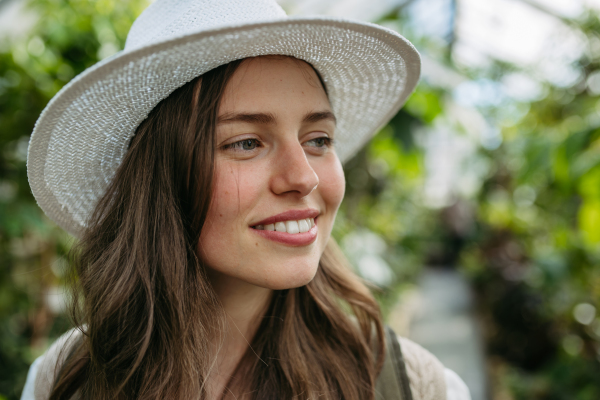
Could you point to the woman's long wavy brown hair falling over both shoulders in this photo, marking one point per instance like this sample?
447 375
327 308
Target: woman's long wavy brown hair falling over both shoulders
147 309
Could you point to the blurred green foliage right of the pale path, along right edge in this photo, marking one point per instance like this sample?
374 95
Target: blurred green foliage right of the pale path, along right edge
535 258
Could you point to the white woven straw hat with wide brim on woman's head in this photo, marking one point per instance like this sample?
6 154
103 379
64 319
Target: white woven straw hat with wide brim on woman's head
83 133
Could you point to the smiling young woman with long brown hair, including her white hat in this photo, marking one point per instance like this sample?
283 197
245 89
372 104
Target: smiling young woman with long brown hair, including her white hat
201 170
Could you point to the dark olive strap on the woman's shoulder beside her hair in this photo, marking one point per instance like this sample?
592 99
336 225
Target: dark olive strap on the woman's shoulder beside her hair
392 383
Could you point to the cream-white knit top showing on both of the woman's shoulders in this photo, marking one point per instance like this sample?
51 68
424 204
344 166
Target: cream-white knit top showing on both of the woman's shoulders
429 380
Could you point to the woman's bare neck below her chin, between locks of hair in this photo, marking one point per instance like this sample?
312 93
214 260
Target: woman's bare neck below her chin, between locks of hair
244 306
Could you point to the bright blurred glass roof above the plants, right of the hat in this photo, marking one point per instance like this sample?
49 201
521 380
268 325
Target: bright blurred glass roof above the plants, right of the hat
534 35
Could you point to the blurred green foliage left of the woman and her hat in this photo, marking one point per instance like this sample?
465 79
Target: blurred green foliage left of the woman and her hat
69 36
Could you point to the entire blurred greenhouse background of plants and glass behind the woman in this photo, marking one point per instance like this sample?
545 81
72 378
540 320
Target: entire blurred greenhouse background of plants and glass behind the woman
476 211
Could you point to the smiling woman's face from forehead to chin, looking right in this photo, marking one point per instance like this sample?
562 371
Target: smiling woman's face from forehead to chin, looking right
278 181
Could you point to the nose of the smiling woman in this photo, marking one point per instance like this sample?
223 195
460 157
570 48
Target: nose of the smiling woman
292 172
